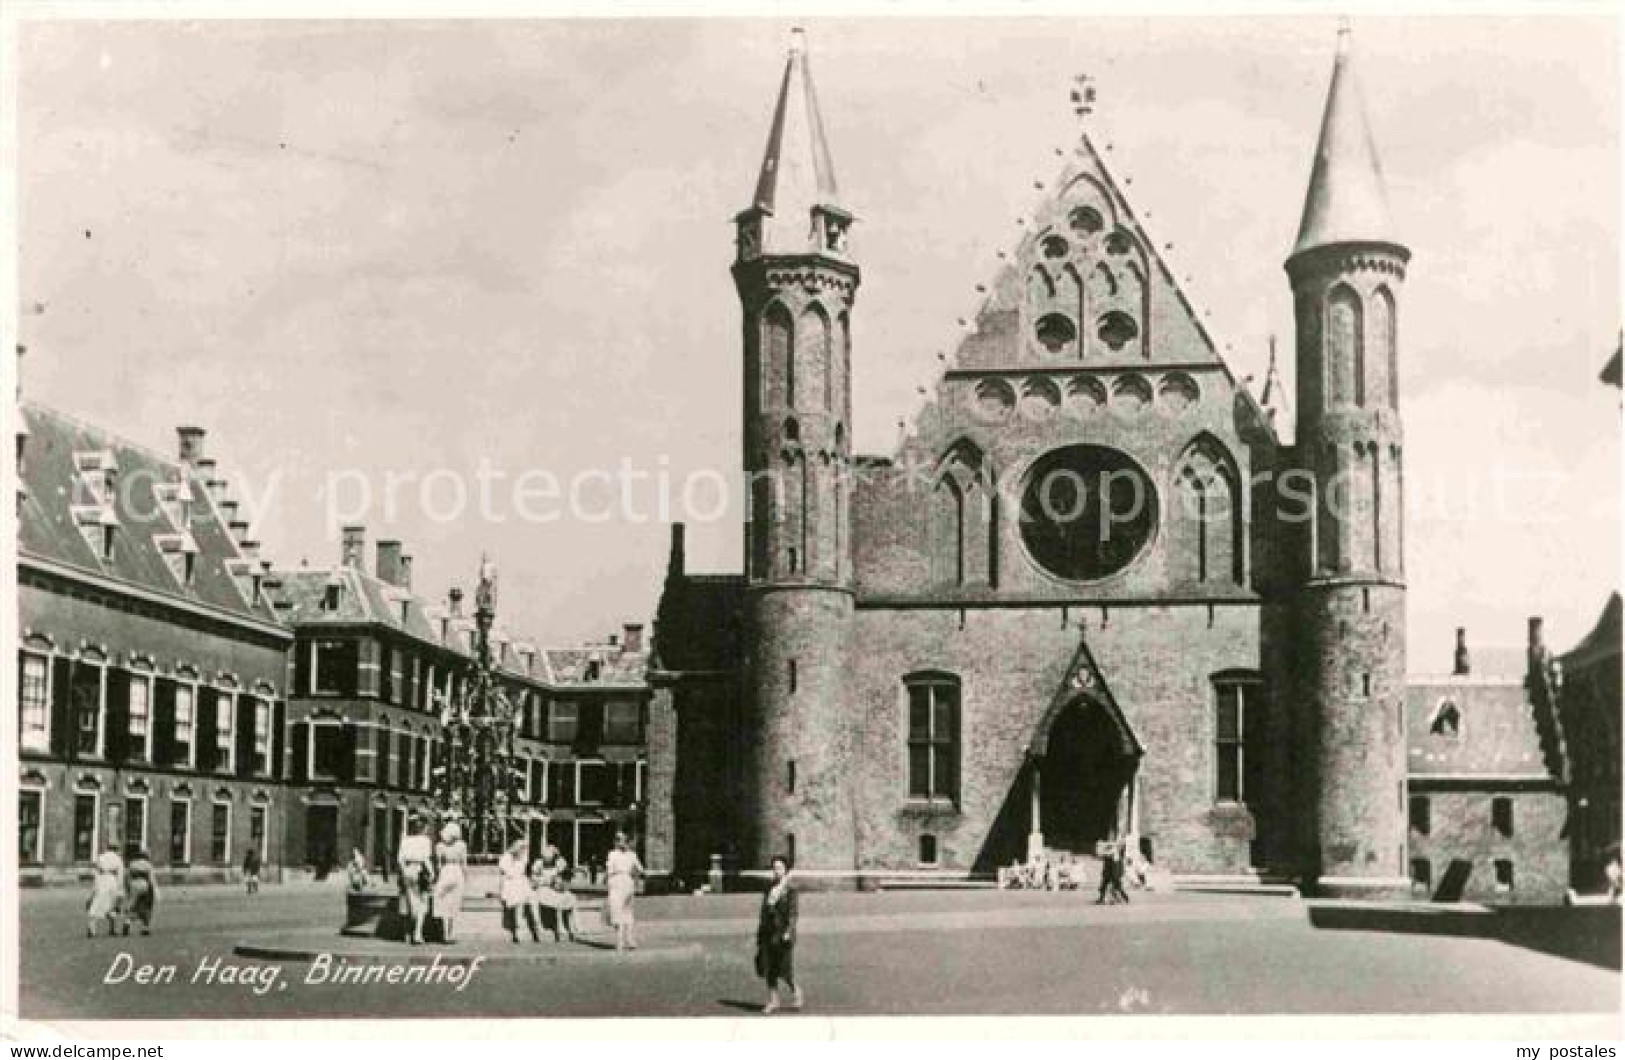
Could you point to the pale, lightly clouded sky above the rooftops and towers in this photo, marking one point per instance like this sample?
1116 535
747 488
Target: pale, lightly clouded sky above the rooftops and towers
401 250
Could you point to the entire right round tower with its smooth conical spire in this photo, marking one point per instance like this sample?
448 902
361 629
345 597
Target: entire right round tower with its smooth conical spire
1346 272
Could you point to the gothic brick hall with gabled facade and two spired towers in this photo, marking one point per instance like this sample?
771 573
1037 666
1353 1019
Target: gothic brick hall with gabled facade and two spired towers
1091 594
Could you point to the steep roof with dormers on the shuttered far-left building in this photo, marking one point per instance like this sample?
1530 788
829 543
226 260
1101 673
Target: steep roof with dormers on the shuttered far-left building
66 476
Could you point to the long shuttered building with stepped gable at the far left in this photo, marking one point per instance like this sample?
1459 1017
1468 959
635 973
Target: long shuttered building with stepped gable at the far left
152 667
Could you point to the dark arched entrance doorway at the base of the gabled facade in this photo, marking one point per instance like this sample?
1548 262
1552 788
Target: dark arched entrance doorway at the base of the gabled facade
1085 762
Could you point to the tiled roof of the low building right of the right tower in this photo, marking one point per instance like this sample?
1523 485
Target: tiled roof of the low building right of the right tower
1496 734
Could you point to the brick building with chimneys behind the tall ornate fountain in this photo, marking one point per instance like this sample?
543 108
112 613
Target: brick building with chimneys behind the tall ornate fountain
373 666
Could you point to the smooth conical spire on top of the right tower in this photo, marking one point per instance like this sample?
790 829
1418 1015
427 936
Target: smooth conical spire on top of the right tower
1348 201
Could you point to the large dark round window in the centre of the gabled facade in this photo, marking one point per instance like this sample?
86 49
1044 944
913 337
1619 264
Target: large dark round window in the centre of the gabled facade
1086 513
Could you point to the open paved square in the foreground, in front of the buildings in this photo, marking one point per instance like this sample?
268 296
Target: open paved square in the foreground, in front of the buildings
899 954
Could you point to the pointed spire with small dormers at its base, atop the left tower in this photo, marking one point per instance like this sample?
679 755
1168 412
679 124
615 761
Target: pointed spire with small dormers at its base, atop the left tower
799 175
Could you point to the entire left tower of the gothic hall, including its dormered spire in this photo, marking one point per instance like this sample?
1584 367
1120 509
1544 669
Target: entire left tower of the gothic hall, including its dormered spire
797 280
